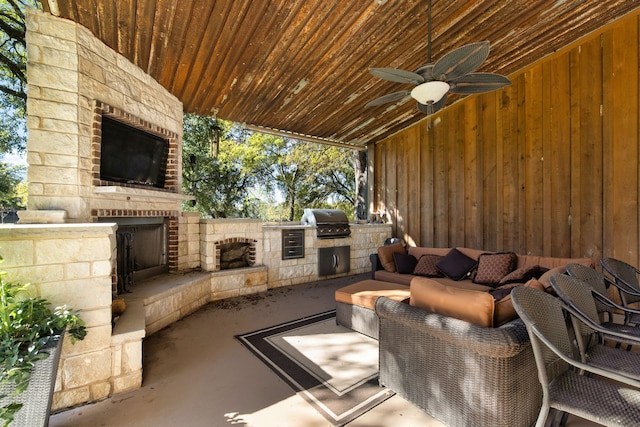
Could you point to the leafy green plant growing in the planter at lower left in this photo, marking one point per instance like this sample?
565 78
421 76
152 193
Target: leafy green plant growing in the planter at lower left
27 326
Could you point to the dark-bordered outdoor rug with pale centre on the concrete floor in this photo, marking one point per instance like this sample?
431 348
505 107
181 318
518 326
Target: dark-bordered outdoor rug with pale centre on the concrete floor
332 367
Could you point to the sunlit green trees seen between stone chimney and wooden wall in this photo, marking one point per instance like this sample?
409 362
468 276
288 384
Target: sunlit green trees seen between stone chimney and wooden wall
232 173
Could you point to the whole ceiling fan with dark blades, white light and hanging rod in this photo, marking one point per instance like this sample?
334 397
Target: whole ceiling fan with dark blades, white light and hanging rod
453 73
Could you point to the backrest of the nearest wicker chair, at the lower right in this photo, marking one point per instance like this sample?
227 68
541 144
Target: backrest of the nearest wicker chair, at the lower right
543 317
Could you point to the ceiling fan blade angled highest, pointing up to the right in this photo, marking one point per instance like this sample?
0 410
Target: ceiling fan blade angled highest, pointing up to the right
461 61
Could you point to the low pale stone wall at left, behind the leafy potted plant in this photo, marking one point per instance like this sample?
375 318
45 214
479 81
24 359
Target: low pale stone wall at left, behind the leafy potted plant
70 264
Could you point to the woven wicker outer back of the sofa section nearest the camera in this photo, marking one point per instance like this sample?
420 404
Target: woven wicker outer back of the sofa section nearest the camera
459 373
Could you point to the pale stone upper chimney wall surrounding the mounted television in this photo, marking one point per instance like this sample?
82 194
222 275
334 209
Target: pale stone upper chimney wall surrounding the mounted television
73 76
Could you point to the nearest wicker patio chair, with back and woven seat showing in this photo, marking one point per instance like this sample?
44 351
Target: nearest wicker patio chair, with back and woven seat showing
596 399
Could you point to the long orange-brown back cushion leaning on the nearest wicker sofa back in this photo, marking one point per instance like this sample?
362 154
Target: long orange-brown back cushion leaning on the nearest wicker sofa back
472 306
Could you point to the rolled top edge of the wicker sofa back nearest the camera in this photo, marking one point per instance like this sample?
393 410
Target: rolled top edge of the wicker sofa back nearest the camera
501 342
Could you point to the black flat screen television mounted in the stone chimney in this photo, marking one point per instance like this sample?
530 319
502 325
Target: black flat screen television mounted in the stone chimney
131 155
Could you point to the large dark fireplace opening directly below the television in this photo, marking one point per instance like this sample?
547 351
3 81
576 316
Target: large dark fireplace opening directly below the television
142 250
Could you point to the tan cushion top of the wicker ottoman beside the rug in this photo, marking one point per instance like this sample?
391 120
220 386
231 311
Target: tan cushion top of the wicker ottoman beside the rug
366 292
